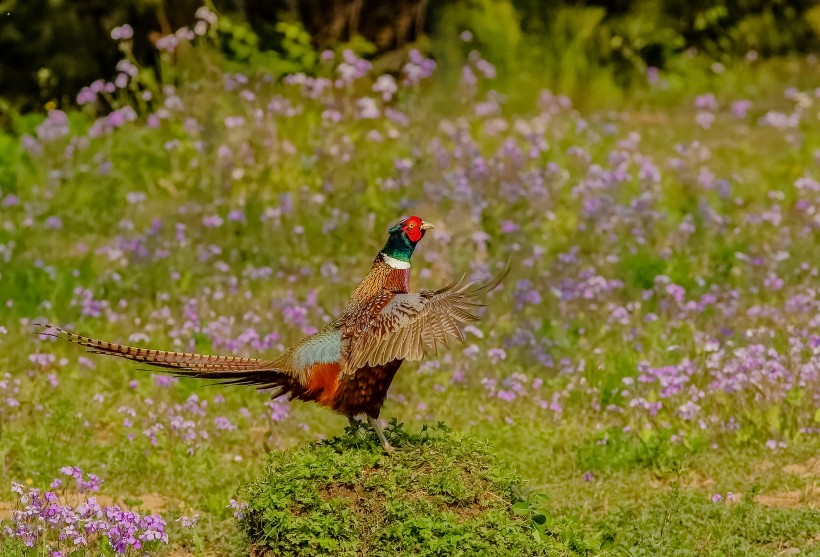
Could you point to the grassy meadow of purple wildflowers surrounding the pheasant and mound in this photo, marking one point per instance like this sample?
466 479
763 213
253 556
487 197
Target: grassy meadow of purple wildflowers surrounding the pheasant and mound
650 368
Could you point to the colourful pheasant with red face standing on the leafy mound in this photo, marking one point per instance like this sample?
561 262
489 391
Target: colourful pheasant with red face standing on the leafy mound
348 365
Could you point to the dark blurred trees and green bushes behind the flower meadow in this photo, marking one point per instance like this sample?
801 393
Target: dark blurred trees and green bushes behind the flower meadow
49 49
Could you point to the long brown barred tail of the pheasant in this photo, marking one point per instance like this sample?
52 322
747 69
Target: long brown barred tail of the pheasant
230 369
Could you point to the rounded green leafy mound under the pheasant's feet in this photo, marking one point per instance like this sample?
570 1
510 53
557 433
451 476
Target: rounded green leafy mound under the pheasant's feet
440 493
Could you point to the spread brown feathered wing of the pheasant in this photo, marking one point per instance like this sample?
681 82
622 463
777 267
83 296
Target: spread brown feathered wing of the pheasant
410 326
